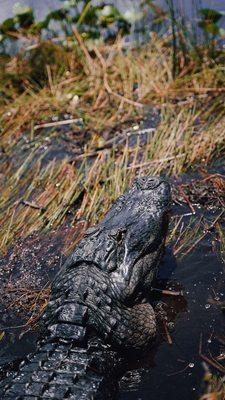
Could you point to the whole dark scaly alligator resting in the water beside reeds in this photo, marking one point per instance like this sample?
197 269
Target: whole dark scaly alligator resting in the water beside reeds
98 308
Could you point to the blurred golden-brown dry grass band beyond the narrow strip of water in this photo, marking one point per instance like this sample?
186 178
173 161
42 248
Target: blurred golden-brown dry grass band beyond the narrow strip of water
113 84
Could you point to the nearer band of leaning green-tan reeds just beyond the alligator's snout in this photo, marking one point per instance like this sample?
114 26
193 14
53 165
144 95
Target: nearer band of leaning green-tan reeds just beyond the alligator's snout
53 190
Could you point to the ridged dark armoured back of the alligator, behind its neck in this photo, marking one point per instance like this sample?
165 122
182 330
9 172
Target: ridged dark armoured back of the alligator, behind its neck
70 363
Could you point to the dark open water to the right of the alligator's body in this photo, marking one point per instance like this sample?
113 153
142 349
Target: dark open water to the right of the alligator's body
176 371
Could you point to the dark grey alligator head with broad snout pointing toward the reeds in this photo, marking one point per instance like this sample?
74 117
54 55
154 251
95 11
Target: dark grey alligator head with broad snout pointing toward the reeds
128 242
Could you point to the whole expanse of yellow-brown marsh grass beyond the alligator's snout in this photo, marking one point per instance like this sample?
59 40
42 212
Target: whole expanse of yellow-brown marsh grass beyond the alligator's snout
104 86
